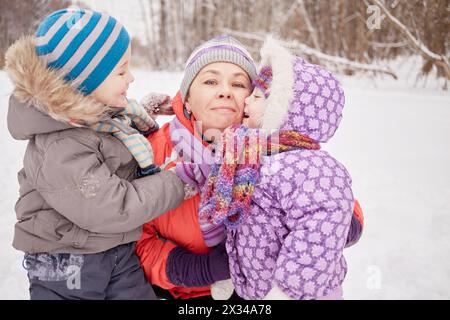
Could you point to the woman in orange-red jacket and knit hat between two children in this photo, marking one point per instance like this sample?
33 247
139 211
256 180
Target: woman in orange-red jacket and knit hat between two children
172 249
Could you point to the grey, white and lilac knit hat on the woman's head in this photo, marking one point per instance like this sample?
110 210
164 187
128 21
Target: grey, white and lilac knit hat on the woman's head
223 48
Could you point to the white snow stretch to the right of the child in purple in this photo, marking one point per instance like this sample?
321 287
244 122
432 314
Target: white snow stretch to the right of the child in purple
395 145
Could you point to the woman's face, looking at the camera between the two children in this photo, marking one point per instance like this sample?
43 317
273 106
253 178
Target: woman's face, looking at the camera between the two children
217 94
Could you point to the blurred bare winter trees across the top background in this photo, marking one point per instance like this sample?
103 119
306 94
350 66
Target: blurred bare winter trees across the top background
338 28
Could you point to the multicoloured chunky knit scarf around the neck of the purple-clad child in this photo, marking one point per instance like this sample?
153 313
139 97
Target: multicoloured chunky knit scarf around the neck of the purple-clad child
228 192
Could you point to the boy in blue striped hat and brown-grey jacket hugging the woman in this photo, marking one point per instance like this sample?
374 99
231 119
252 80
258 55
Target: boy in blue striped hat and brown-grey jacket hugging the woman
88 182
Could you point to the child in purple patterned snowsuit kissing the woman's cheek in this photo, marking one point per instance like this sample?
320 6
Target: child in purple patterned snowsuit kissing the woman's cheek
290 244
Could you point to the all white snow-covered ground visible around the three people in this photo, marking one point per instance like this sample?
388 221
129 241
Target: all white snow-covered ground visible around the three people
394 140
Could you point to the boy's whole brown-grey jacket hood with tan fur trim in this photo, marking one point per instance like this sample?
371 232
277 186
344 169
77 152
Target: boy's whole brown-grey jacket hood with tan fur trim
38 88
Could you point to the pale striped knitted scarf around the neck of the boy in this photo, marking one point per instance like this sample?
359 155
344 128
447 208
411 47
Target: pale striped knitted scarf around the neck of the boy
120 126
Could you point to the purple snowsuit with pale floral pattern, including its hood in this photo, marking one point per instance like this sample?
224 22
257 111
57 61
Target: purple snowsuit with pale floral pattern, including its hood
302 207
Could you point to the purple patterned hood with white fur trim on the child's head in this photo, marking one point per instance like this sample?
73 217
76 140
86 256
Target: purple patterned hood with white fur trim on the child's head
303 97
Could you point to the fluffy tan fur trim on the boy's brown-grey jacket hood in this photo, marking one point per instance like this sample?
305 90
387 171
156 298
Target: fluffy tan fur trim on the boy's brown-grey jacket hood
46 89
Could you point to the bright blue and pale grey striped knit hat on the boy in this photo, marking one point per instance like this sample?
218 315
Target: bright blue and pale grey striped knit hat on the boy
85 44
